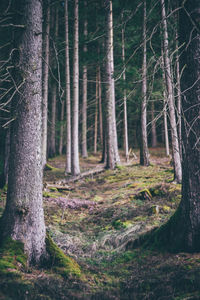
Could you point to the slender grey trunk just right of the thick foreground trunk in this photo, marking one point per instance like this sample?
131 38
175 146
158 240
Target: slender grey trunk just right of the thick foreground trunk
46 9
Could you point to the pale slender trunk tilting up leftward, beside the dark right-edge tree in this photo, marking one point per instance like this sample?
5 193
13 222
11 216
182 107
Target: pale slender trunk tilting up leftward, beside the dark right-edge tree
170 94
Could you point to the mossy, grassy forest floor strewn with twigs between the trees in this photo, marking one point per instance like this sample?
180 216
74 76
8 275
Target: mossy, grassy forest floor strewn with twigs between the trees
95 220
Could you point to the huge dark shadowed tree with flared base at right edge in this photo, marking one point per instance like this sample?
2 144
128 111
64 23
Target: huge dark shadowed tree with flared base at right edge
181 232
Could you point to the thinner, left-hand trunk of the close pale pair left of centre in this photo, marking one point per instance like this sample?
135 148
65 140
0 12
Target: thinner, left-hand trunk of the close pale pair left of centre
67 94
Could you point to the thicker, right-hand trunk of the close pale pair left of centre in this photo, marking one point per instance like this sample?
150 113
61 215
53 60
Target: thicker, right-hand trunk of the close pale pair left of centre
75 115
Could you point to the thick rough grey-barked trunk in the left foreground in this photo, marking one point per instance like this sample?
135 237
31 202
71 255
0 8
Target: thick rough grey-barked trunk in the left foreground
23 218
